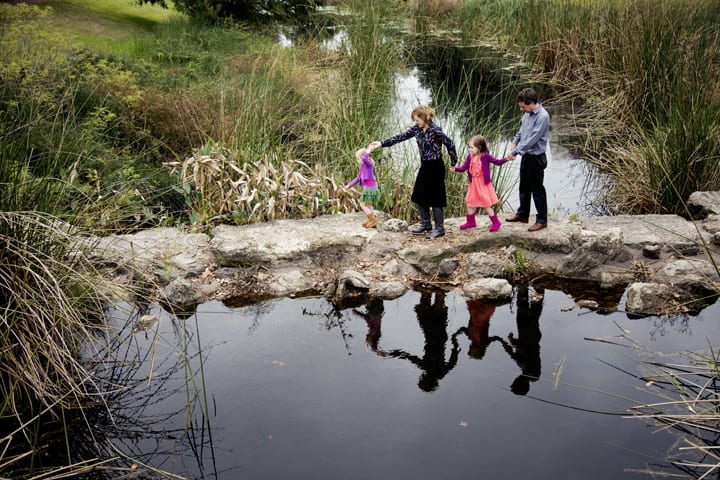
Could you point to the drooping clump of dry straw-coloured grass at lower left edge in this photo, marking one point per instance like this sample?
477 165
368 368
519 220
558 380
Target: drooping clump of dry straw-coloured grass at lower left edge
51 302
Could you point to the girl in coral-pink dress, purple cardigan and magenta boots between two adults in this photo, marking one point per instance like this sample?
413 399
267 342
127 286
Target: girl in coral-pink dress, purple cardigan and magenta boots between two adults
481 193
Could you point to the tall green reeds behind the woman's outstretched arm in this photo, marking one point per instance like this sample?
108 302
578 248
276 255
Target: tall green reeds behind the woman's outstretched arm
368 59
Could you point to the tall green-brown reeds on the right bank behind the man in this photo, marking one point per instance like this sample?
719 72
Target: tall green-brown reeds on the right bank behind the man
645 75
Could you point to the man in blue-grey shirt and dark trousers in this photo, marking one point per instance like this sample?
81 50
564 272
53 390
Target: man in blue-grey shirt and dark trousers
531 143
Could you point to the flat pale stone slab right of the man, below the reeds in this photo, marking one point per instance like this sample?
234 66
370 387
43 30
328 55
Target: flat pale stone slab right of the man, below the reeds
671 231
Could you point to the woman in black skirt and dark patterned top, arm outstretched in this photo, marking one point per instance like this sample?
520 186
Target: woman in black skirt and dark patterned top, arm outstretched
429 189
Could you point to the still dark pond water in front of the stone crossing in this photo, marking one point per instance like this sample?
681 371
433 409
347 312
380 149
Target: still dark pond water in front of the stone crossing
425 386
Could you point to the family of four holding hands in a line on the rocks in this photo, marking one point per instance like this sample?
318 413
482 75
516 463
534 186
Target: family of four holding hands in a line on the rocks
429 194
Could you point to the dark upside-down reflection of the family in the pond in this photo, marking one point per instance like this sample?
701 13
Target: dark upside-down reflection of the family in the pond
432 316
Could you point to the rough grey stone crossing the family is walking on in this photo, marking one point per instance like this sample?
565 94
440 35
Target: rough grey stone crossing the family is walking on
664 263
